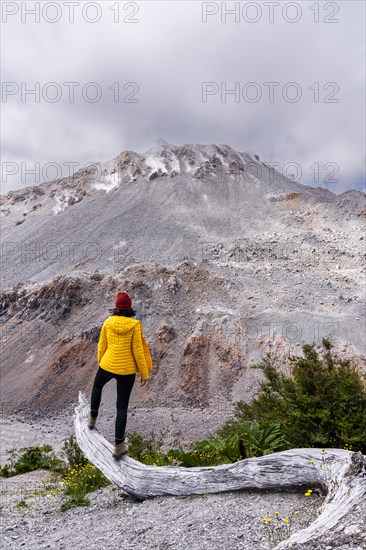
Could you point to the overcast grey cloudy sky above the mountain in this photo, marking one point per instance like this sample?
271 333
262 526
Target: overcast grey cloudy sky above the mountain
111 76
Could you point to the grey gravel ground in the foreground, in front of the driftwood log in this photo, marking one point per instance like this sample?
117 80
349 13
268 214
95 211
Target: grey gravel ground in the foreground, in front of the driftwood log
115 520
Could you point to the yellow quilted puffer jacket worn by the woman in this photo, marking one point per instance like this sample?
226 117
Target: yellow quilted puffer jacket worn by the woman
122 348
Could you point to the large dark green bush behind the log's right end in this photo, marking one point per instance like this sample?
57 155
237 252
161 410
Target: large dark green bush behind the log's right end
321 404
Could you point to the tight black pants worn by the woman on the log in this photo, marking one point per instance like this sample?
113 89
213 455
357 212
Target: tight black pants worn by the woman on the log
124 387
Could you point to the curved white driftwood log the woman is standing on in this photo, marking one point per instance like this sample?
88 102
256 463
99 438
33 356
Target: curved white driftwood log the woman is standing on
345 482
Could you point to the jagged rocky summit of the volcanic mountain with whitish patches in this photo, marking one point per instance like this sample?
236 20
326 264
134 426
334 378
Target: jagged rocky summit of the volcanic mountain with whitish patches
208 163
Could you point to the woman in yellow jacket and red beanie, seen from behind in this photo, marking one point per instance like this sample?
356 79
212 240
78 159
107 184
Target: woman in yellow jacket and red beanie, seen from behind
122 352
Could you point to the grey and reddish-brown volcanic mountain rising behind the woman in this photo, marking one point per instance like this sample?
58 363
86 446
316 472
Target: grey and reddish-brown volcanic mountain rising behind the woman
225 258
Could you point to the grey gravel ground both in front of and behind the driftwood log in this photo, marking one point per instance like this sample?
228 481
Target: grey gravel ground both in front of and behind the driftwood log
116 520
